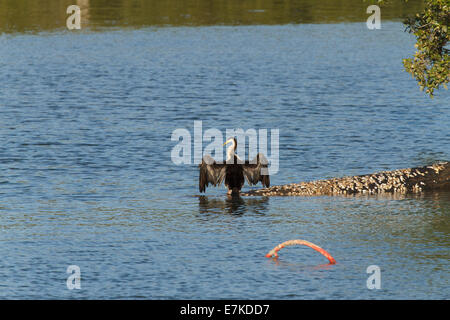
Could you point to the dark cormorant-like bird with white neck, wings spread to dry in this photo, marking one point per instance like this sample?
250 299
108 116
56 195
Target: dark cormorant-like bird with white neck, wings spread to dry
233 170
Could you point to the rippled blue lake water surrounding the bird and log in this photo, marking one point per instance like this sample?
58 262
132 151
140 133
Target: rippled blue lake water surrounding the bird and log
86 176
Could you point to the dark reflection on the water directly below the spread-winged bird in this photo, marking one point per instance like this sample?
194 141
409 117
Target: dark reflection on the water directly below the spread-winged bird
233 205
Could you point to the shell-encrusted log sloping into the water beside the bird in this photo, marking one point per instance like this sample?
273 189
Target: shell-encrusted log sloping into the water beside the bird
412 180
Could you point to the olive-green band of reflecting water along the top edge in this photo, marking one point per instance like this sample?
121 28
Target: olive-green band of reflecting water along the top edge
31 15
